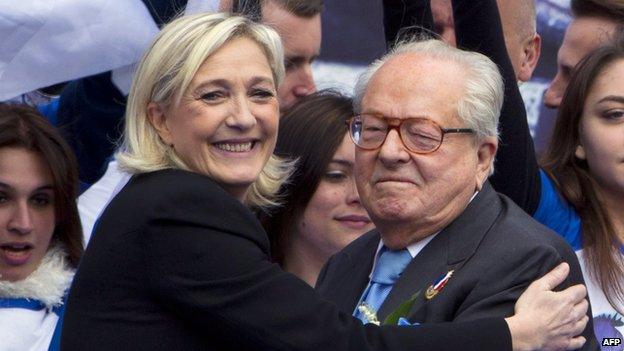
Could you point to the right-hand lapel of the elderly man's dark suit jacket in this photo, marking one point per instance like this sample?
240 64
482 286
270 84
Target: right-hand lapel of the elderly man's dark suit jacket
449 250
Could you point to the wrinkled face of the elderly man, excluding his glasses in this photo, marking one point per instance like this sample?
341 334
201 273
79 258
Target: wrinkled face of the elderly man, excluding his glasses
410 195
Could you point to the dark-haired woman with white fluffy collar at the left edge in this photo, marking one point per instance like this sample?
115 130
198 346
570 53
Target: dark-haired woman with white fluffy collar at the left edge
40 234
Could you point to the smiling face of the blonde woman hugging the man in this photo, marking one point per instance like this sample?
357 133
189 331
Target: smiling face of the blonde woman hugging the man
226 123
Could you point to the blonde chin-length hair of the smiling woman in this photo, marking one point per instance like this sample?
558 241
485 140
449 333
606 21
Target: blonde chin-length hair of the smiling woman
164 74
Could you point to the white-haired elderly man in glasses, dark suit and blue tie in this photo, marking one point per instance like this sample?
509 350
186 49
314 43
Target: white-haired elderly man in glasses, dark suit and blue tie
447 247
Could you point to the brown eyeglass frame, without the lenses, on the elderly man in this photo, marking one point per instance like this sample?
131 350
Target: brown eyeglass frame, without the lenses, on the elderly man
397 123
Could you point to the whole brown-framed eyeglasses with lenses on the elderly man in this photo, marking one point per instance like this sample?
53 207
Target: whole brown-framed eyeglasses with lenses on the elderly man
419 135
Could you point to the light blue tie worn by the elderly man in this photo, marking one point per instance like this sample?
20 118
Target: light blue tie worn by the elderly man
389 266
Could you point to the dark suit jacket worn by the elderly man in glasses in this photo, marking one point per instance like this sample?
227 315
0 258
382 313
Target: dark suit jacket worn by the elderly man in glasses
495 249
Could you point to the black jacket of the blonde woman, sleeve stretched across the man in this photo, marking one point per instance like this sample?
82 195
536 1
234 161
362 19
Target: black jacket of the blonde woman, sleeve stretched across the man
176 263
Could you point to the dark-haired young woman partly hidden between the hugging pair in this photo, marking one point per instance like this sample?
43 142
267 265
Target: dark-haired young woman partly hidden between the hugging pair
321 211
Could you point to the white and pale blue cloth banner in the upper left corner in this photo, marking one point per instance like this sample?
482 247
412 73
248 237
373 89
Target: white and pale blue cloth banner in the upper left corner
44 42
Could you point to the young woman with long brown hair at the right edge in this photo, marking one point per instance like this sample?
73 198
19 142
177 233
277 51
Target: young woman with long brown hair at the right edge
582 181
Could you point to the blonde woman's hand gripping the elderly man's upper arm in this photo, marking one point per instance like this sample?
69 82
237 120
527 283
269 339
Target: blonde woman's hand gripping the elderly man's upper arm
548 320
